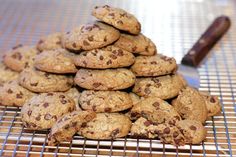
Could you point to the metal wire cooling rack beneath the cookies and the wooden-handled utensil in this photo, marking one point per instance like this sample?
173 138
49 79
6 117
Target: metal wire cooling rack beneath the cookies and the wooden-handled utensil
173 25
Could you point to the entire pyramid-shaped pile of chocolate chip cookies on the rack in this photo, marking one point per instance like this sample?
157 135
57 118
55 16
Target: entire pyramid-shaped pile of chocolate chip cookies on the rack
103 80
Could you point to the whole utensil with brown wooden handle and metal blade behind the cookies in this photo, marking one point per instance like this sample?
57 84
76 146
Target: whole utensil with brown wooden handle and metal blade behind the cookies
191 60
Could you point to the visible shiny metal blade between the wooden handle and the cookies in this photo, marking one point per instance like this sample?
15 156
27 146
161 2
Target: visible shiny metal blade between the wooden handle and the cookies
190 75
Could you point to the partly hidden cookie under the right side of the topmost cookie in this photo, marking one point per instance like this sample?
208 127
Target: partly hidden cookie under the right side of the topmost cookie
138 44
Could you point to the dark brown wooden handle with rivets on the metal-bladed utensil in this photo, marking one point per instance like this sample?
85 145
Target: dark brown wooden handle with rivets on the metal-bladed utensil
208 39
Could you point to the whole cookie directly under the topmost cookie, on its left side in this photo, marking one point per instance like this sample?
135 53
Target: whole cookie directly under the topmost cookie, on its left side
90 36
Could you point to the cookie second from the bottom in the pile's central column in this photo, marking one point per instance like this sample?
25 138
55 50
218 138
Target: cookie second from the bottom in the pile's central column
105 101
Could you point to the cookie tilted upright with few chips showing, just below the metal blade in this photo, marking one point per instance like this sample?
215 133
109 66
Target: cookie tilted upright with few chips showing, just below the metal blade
190 105
